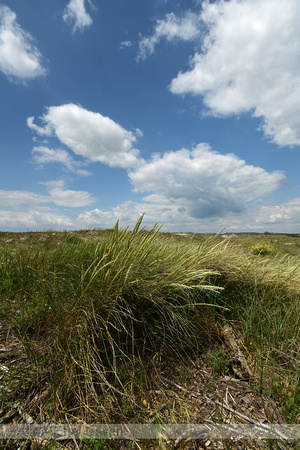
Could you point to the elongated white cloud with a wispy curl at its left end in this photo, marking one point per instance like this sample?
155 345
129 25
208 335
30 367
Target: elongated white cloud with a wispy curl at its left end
91 135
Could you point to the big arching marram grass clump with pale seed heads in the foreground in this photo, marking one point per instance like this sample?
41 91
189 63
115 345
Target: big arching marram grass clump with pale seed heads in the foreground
87 310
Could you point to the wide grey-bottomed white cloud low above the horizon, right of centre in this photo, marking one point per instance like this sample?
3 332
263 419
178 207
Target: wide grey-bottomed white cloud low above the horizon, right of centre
204 182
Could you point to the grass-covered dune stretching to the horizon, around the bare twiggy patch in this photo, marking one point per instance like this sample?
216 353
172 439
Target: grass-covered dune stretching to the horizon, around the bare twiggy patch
95 313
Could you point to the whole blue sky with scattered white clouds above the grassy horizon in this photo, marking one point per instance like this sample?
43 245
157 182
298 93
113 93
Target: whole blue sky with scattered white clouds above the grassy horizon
186 110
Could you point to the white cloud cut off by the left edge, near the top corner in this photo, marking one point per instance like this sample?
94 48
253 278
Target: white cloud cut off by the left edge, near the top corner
19 57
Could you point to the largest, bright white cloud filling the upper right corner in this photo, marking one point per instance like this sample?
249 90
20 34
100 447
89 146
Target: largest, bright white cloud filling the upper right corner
250 61
